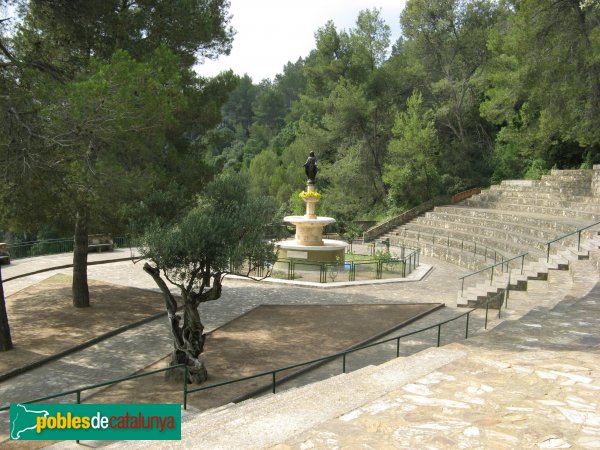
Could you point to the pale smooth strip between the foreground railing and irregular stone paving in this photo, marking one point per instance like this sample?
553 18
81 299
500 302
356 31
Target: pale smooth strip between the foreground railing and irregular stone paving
270 420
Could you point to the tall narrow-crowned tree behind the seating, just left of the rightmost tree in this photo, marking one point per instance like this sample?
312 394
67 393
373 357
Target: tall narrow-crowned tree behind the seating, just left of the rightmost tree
446 47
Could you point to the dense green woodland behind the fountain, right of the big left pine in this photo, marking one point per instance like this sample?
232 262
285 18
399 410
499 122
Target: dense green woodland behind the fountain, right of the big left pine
474 92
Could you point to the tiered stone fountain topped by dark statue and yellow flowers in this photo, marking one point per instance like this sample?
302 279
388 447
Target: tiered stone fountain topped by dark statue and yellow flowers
308 244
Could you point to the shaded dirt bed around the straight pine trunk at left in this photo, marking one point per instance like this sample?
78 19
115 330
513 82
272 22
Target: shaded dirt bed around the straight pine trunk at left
44 322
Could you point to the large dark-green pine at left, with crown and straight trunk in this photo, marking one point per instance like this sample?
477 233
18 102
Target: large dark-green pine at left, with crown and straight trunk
75 39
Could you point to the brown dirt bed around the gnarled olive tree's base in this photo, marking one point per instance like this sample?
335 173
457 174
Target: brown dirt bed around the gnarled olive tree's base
267 337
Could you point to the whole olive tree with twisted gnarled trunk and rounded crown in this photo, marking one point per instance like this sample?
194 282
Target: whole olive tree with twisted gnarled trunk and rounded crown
227 228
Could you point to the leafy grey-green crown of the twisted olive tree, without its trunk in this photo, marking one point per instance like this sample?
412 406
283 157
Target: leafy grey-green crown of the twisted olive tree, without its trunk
226 226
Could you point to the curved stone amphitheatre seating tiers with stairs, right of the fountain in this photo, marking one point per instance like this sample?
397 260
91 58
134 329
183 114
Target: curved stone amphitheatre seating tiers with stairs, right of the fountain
513 218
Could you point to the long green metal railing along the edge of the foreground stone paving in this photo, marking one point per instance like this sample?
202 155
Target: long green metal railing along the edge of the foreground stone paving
186 391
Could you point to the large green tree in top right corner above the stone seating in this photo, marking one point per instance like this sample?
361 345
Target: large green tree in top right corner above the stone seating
545 84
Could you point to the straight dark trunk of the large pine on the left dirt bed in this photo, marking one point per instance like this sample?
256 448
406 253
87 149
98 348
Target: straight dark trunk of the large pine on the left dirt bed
81 293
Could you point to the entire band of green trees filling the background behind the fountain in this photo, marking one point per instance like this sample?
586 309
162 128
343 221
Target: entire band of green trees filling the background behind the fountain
106 125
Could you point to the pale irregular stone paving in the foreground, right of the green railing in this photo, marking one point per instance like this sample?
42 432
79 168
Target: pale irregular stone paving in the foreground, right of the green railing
474 394
